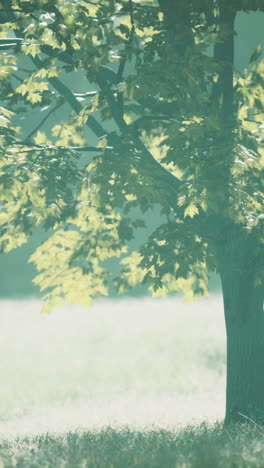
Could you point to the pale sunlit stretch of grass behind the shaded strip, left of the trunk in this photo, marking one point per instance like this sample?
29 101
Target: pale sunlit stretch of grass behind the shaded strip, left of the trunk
133 363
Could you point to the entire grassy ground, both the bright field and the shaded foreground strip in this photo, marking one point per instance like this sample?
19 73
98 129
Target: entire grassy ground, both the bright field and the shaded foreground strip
126 383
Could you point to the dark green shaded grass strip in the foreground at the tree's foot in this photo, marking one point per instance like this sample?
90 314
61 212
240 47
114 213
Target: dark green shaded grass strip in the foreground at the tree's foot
240 446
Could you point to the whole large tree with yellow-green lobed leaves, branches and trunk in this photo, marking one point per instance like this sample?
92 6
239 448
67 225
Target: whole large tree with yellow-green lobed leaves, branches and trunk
181 130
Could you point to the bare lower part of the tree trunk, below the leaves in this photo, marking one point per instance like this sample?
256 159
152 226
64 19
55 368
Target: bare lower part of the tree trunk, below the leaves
244 317
